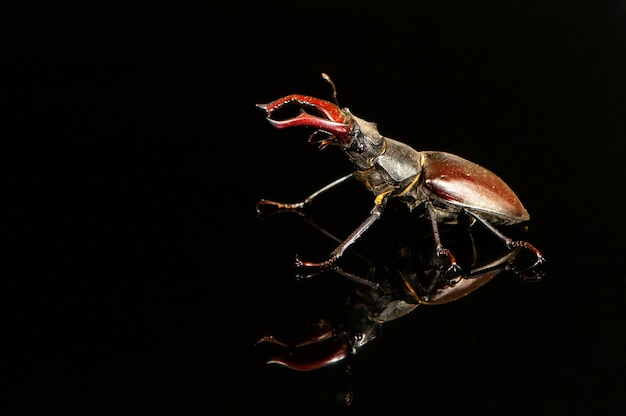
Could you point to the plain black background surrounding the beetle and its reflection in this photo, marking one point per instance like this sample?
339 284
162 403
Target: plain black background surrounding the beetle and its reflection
137 276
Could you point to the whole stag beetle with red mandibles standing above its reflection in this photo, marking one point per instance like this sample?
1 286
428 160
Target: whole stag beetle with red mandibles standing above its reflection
440 186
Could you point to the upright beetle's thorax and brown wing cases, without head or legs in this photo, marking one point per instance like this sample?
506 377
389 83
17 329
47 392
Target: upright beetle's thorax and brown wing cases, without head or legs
447 180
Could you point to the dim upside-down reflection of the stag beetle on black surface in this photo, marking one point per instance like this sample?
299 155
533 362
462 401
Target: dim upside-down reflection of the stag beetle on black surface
392 289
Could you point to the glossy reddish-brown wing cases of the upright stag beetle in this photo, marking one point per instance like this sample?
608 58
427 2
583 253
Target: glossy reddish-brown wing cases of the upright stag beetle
463 183
